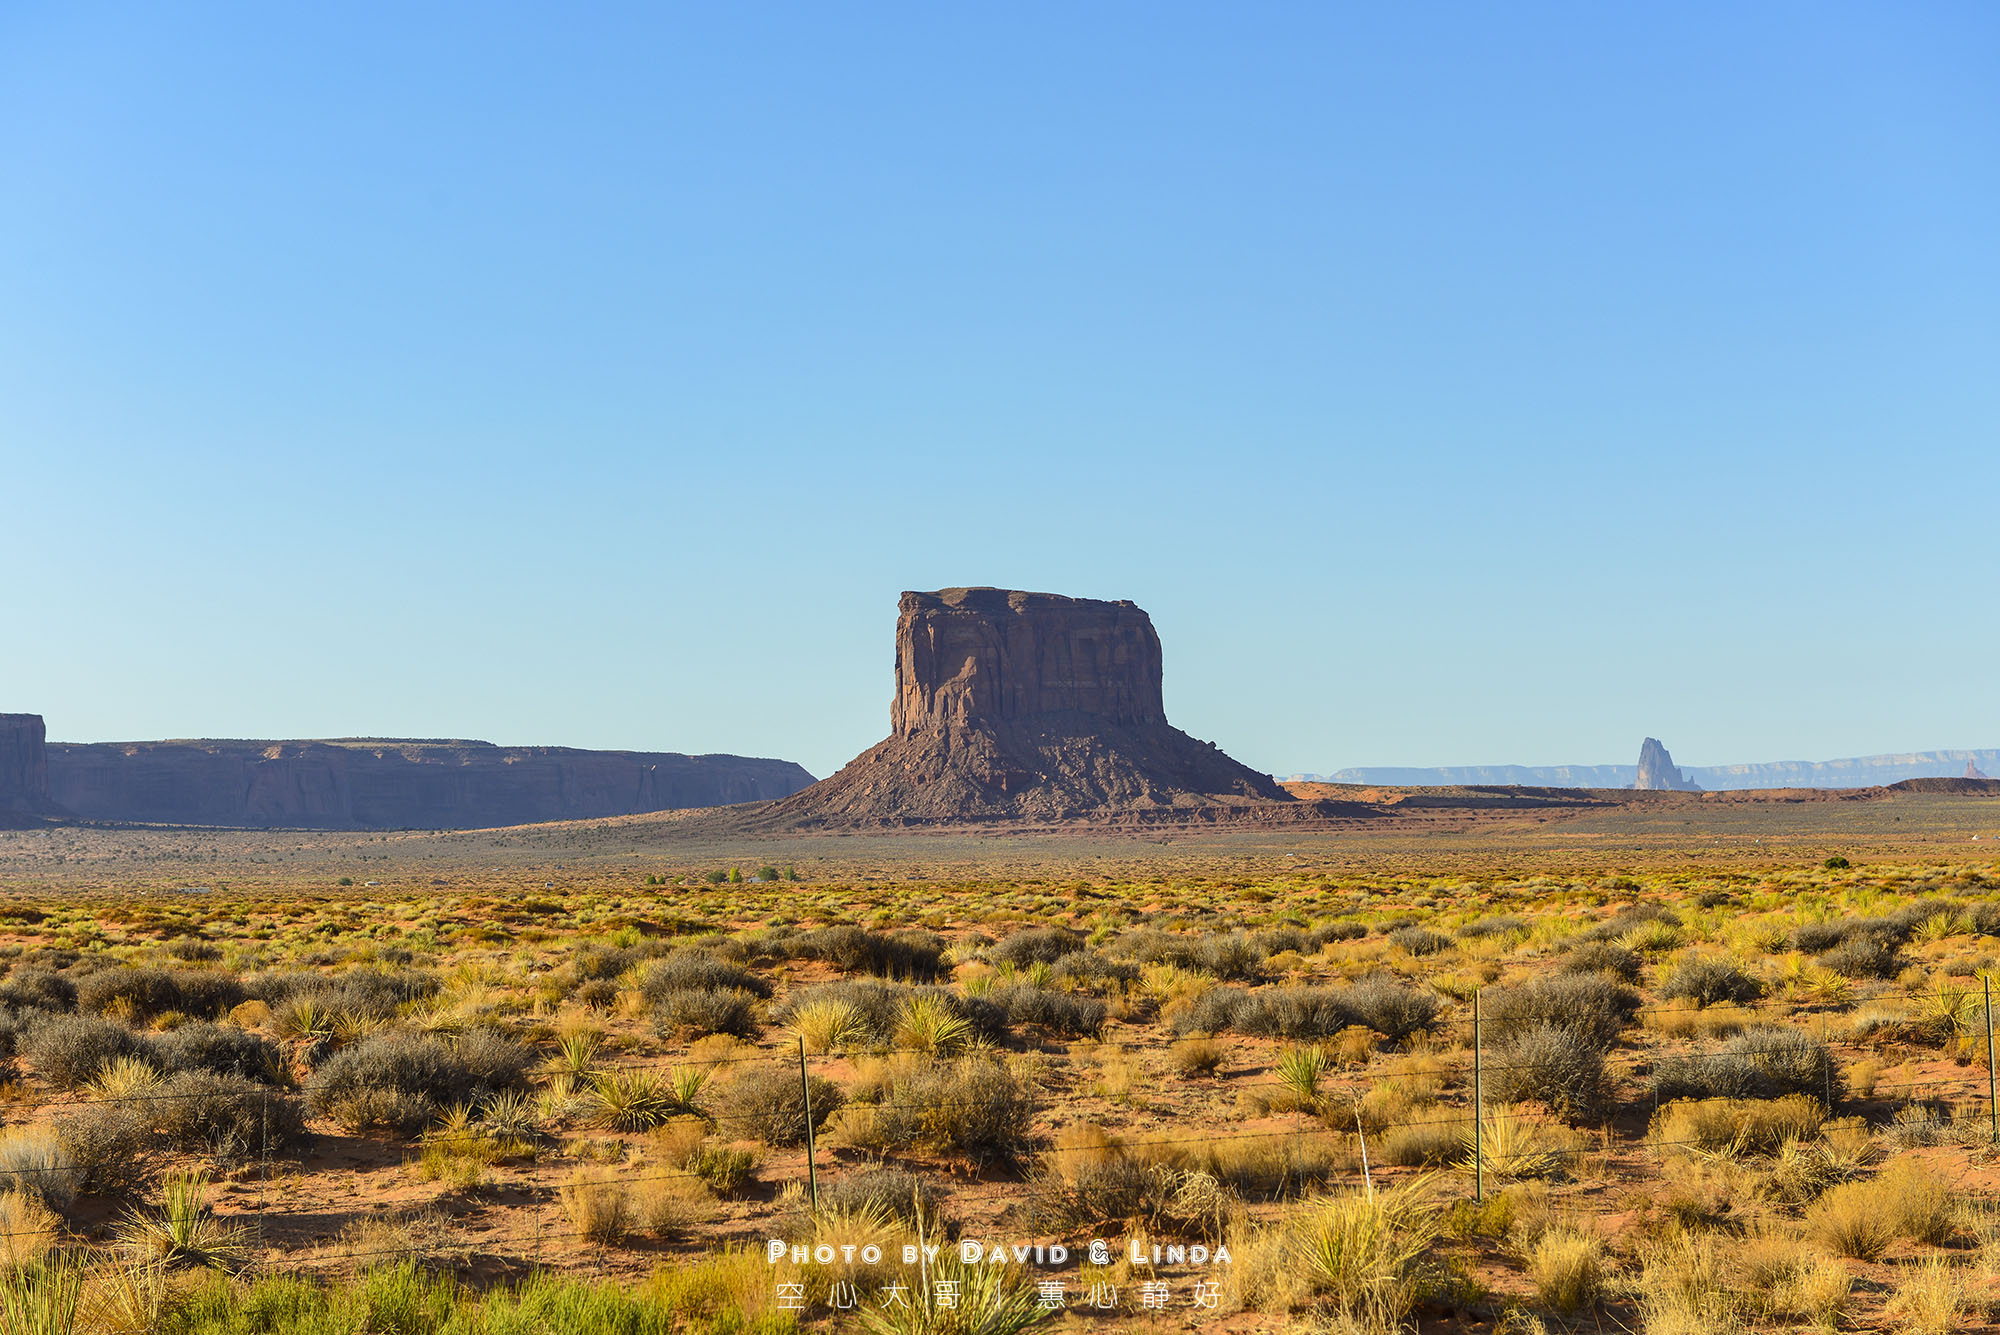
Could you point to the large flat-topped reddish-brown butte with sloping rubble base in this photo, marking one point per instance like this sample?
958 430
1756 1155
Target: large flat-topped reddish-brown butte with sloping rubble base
1025 708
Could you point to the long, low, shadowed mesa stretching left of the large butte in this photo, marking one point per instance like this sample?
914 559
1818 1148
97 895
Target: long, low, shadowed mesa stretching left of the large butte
385 784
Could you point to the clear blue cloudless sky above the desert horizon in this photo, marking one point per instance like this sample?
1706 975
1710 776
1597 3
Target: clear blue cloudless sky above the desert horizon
1455 385
